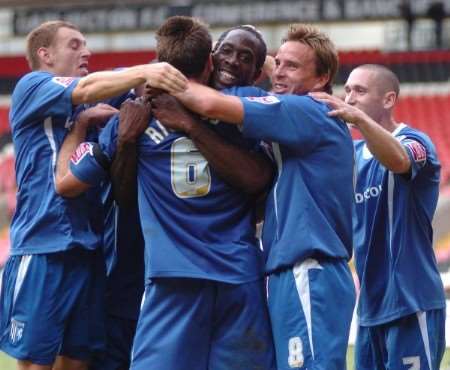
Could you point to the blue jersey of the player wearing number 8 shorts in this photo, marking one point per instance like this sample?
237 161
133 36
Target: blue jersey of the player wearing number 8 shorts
309 209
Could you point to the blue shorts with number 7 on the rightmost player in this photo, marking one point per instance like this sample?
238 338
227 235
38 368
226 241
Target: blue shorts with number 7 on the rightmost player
415 341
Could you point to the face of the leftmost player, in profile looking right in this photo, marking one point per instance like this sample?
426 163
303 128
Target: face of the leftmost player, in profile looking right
67 55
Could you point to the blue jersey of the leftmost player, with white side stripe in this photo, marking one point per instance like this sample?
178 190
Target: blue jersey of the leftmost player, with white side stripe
45 222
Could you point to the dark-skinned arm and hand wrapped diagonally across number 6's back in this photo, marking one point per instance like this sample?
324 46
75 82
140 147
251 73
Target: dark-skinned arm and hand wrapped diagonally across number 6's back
251 172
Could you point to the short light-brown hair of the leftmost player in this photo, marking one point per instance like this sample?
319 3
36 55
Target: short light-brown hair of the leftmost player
43 36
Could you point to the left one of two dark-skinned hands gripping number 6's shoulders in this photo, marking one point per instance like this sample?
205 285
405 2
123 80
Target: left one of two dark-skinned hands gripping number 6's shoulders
134 118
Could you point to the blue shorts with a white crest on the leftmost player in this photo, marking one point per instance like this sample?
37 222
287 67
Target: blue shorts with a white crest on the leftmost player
51 304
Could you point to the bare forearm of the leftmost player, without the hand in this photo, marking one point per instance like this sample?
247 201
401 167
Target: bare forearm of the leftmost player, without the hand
102 85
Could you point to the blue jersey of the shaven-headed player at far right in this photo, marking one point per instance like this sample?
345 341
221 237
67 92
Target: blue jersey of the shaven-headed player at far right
394 256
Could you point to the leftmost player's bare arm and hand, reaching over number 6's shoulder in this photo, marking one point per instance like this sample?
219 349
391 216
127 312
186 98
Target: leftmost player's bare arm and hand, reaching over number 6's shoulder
103 85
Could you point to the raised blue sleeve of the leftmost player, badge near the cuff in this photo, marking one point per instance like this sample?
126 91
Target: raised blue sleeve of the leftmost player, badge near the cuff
39 95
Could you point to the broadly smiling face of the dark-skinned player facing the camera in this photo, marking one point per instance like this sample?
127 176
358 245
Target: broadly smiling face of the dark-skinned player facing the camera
235 60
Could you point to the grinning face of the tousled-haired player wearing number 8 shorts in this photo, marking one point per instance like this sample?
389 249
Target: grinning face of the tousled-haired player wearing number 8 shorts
295 70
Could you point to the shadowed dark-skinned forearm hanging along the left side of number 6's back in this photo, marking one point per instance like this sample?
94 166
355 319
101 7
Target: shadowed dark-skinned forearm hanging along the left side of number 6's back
124 174
